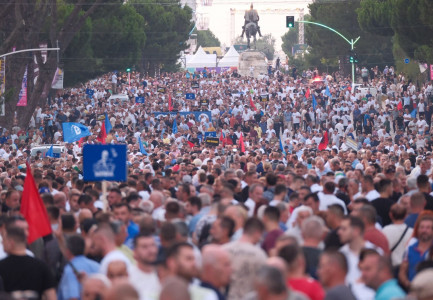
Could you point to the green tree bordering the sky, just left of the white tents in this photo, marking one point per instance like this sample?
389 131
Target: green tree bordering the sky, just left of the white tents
167 26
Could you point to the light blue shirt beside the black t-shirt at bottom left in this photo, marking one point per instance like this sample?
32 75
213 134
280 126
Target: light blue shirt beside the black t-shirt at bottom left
69 286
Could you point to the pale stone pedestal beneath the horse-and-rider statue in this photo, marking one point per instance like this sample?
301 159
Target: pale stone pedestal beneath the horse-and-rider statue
252 63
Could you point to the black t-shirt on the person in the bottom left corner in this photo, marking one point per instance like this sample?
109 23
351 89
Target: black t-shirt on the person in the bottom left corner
25 273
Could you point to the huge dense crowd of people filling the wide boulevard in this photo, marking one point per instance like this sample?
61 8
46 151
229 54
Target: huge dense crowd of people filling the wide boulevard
316 189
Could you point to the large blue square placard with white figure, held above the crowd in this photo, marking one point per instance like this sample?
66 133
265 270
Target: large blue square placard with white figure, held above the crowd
104 162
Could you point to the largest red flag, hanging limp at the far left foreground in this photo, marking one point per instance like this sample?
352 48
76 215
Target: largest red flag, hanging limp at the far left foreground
33 209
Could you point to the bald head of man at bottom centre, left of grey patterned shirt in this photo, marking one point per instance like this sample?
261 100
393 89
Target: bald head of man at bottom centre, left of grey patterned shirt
216 269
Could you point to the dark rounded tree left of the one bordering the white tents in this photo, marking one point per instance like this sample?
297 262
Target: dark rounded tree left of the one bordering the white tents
113 40
